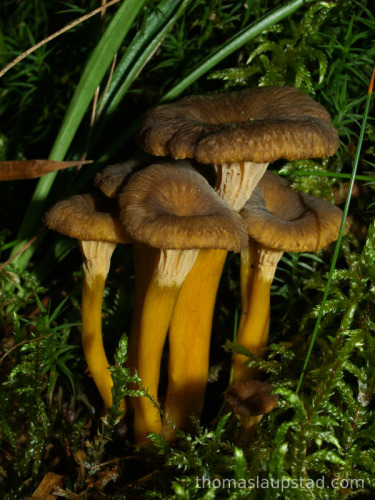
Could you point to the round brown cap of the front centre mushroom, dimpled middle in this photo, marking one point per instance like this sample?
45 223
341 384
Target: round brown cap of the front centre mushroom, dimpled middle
171 207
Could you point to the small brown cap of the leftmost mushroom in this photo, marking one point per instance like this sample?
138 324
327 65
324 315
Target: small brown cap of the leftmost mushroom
87 217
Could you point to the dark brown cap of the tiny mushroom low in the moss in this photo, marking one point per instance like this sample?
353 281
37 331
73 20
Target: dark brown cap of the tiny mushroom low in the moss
250 398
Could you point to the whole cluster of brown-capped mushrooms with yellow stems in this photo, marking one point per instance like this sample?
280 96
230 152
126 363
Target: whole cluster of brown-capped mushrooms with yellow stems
182 229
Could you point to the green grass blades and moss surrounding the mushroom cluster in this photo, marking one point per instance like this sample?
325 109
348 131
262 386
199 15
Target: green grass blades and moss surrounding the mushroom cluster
50 417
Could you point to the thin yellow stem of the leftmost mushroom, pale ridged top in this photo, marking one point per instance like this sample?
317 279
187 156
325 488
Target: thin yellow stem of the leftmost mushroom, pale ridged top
96 262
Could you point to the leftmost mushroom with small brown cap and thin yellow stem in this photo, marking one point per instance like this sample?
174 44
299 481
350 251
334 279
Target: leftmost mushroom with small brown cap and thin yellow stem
94 223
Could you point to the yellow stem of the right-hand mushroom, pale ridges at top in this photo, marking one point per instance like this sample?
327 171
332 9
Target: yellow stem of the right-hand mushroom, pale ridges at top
253 329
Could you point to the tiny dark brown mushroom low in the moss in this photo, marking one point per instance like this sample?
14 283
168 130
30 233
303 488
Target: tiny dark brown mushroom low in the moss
250 400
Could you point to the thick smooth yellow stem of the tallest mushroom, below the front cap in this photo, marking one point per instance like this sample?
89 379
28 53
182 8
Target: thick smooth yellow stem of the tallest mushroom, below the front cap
189 339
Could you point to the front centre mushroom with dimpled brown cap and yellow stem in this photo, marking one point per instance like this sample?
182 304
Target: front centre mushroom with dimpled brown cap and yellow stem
172 209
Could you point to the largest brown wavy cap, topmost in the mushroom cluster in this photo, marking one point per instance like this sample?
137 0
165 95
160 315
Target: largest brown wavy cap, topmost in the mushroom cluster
254 125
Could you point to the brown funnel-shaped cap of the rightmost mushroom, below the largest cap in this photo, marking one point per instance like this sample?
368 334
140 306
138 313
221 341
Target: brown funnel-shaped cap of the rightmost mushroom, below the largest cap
282 219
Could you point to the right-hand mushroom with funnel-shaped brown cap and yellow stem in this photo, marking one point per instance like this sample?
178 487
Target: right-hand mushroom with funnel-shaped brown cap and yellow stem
278 220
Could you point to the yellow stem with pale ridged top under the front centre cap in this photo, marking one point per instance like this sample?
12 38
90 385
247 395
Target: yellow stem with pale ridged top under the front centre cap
171 268
